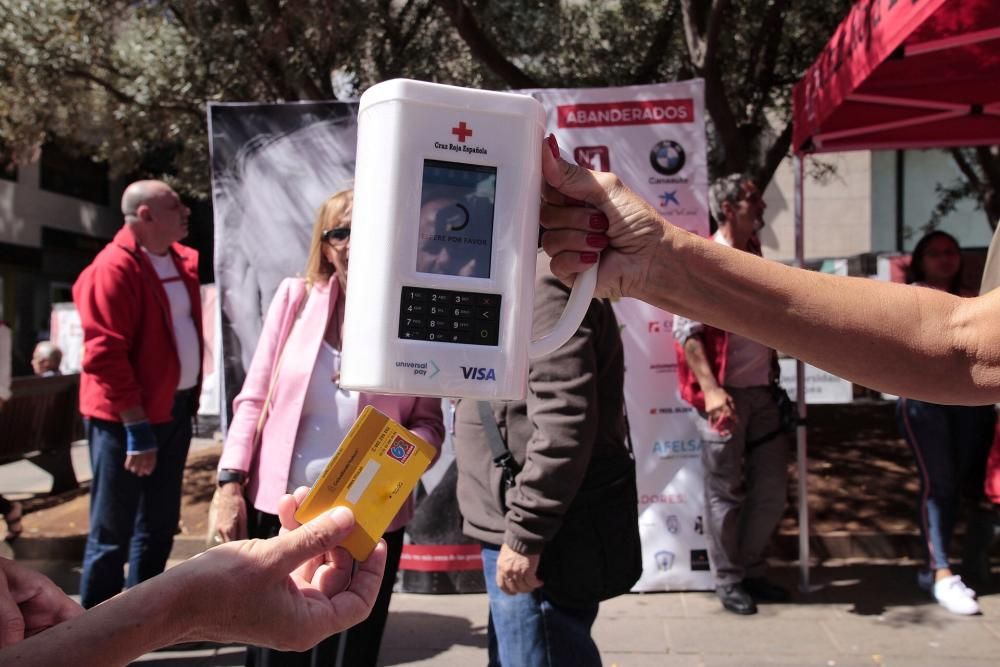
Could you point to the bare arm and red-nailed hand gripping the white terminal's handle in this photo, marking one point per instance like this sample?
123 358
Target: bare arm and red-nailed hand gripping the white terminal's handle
906 340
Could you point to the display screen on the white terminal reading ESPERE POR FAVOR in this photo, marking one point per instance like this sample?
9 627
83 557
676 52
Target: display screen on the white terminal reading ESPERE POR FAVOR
457 203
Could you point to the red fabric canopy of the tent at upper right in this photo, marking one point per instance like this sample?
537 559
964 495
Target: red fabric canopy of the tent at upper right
904 74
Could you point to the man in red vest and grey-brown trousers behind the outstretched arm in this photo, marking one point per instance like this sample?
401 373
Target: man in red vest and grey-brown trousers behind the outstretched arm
729 380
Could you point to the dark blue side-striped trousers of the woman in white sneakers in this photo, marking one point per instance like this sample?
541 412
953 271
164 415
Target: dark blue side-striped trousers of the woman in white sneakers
950 444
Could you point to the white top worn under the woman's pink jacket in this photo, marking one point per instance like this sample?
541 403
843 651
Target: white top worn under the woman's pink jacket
328 413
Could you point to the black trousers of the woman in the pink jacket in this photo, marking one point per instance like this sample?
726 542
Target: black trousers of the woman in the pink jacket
355 647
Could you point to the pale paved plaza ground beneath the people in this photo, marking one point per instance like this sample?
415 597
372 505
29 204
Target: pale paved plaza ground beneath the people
863 614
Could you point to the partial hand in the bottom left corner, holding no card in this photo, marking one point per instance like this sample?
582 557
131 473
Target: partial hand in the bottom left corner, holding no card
29 603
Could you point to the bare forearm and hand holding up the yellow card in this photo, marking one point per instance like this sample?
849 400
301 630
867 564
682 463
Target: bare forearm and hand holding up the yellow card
300 578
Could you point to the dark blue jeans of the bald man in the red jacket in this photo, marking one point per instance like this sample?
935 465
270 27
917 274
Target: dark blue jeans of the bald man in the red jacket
132 518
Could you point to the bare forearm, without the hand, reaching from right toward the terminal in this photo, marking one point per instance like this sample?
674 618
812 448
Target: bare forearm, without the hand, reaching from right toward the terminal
906 340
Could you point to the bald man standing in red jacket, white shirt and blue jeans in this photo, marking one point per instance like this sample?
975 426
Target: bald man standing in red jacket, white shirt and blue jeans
140 308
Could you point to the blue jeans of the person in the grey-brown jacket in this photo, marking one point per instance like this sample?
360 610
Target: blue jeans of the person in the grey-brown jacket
529 630
